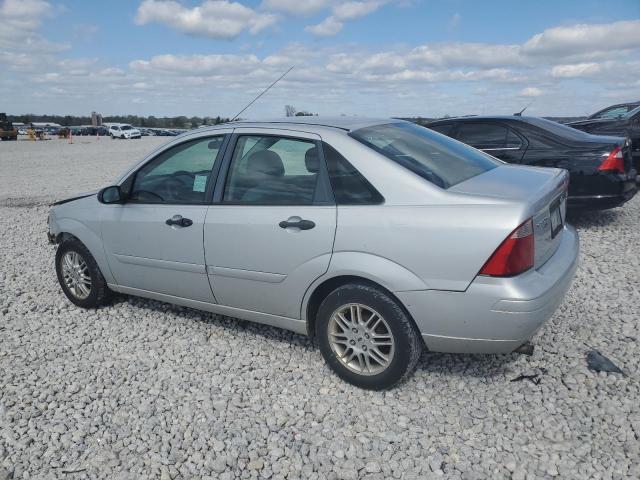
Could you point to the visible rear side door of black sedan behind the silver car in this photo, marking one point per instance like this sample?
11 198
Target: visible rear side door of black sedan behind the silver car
497 140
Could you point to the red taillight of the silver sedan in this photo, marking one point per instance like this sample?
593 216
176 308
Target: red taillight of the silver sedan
515 255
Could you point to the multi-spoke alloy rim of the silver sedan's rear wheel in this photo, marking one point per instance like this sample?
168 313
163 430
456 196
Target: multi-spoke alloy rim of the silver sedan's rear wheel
361 339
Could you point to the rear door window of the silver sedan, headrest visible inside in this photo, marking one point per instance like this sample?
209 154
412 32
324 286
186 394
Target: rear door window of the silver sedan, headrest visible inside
270 170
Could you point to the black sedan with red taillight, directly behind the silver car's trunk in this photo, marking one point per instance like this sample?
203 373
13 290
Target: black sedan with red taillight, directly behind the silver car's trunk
600 167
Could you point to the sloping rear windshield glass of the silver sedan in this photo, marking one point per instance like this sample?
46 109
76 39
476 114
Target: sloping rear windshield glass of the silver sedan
439 159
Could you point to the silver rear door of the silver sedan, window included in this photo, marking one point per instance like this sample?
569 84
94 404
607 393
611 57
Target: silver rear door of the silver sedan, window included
269 233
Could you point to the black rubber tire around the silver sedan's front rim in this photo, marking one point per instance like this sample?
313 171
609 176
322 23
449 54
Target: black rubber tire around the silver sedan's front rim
99 292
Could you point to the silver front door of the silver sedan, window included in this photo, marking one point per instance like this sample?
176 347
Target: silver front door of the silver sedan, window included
154 240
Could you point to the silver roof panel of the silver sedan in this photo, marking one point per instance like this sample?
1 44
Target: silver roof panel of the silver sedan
346 123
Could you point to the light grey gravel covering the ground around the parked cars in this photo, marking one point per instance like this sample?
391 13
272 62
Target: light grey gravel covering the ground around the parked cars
141 389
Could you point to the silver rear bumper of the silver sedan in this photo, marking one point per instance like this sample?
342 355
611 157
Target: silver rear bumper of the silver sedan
494 315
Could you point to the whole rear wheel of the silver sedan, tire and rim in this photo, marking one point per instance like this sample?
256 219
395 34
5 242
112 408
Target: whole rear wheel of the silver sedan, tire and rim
366 337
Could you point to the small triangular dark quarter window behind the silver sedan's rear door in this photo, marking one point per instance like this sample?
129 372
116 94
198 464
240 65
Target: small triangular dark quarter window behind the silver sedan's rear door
349 186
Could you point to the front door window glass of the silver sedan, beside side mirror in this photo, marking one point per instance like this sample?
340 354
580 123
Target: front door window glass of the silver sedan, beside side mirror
178 175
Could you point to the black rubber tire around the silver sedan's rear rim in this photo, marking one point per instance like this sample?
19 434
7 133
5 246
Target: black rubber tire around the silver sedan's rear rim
407 342
